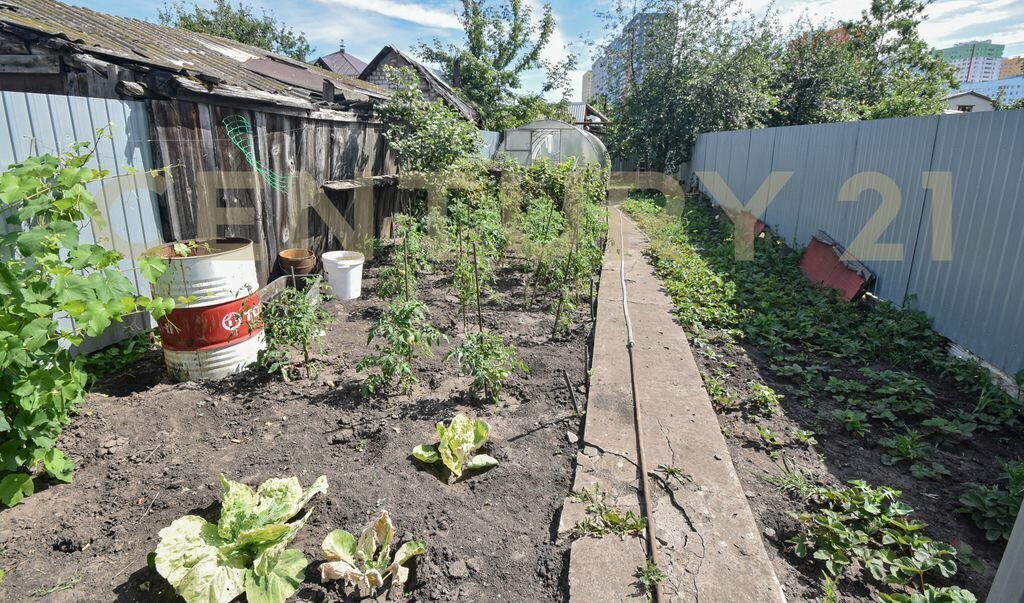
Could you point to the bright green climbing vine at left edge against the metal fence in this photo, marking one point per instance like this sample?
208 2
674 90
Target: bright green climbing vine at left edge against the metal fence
55 290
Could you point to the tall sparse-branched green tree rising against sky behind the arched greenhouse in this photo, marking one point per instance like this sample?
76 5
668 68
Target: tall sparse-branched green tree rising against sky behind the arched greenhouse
501 44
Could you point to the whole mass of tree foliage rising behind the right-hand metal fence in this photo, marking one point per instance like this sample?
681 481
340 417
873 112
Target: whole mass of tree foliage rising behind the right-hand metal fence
700 66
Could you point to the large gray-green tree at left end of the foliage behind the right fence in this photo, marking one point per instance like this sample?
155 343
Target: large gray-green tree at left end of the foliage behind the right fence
690 67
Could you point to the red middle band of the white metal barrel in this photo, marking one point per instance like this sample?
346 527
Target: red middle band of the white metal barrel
210 328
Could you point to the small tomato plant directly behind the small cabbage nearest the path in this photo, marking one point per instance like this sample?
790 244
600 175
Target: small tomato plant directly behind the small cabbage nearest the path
490 361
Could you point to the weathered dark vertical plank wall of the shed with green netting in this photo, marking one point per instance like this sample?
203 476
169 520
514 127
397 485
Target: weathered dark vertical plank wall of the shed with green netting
192 138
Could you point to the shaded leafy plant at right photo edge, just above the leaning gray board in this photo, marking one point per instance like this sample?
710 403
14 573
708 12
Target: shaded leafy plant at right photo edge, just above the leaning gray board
995 508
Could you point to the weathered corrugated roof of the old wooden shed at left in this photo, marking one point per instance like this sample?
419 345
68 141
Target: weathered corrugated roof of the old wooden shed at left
214 60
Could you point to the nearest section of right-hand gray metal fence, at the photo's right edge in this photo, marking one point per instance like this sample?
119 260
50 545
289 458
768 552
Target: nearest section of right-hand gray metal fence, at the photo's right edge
975 299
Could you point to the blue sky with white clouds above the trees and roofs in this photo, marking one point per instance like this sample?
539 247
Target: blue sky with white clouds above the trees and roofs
366 26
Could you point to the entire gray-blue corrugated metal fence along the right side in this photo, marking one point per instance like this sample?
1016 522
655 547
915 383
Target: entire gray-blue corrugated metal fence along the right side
974 299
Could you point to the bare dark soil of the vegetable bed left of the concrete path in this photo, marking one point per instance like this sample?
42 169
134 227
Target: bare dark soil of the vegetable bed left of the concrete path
149 452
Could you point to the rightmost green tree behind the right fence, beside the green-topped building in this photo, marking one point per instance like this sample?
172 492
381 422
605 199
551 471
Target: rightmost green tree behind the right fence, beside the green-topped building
902 75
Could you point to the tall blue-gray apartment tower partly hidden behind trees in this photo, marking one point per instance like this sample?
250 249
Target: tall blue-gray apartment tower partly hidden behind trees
614 68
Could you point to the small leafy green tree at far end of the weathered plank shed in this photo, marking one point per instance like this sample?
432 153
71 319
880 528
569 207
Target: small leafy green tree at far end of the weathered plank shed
426 137
